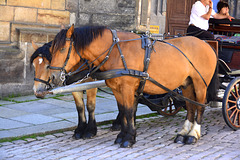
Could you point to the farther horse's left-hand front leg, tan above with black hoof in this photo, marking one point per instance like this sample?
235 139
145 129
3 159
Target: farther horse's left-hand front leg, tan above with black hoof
79 131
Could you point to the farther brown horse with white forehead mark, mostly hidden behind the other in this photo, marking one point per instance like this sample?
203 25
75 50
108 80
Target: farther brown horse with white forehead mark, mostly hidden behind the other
41 59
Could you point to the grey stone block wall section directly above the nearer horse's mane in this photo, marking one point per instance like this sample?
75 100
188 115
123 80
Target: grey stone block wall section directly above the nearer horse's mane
117 14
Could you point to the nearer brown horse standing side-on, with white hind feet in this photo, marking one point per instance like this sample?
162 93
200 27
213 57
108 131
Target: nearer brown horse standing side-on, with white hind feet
185 62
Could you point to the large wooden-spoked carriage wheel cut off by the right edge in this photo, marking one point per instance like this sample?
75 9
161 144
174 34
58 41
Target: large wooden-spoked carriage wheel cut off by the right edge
231 104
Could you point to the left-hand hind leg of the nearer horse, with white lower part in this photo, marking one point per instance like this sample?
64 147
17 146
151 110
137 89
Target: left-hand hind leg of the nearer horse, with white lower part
188 124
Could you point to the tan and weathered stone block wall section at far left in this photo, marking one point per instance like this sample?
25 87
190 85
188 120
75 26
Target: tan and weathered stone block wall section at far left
21 22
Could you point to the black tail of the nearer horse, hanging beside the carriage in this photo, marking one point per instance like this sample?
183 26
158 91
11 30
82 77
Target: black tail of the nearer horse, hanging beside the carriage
213 86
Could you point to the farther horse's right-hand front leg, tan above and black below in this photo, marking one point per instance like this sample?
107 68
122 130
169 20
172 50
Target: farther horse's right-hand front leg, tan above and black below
91 129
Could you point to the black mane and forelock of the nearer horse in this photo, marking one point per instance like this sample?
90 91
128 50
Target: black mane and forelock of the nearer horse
81 37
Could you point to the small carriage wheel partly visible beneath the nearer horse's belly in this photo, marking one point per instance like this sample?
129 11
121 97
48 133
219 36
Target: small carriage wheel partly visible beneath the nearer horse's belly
170 110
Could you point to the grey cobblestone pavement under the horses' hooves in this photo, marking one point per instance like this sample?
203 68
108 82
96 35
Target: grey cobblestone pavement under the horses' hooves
154 141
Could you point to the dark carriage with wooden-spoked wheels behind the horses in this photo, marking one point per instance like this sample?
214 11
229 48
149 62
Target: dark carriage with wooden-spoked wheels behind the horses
227 45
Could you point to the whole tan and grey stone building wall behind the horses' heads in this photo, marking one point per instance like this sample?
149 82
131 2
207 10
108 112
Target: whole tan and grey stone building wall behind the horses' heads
23 21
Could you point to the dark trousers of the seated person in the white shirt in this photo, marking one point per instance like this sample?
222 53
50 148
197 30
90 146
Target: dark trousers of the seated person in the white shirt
200 33
